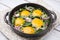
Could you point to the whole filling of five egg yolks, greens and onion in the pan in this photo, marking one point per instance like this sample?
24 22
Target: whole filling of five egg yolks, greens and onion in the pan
30 20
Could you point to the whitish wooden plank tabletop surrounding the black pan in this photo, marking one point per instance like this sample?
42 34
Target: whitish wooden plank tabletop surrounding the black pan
5 30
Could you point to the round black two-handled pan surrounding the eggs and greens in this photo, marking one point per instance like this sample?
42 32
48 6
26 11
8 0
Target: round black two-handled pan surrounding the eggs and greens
49 13
